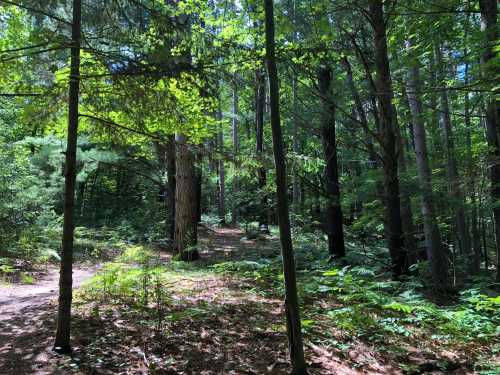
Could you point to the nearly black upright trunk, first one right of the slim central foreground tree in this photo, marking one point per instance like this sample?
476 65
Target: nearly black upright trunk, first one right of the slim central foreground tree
333 218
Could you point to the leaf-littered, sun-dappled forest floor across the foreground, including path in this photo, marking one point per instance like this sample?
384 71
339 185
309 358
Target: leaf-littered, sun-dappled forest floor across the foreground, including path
193 319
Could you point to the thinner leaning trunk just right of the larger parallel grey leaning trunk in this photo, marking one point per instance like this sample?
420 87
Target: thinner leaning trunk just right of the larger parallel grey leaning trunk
452 169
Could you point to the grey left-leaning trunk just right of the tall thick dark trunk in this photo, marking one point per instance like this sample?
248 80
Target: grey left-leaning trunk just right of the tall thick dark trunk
435 251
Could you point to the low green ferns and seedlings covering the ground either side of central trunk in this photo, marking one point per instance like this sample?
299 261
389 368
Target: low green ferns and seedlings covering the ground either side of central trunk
340 303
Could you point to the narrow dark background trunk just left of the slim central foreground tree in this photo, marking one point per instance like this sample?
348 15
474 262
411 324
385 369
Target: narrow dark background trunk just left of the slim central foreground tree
259 127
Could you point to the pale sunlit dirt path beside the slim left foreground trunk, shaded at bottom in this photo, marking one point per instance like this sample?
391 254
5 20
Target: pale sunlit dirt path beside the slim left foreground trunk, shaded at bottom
27 322
